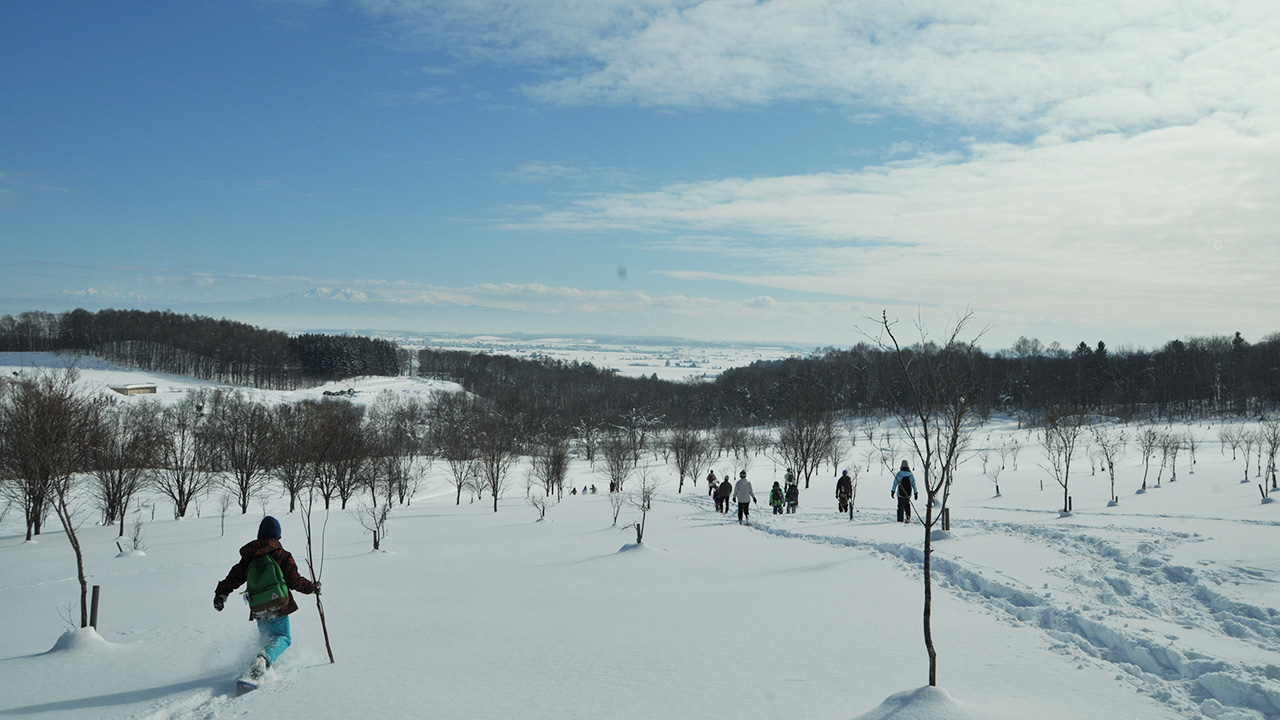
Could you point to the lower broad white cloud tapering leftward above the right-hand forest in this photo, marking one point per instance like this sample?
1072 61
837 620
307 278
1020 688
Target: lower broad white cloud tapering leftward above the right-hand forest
1174 227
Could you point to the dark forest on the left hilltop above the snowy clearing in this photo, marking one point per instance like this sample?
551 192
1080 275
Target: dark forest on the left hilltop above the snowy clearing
202 348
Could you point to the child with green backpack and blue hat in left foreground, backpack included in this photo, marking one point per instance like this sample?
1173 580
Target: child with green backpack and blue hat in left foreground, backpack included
264 564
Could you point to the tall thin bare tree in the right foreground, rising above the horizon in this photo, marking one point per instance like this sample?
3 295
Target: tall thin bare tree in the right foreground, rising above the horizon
936 413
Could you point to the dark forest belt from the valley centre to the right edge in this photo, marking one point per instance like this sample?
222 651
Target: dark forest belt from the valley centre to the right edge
1185 379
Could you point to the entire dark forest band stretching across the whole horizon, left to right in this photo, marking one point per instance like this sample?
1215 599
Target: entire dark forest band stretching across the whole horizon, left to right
1185 379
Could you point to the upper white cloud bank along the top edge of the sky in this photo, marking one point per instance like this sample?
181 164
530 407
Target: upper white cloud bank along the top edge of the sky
1073 70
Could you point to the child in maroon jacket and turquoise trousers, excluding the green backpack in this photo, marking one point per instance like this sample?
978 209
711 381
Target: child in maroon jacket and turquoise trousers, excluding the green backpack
273 626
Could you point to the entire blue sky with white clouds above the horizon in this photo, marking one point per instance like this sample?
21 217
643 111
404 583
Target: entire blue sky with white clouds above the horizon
717 170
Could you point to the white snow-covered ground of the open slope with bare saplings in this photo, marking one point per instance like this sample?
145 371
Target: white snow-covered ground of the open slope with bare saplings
1164 607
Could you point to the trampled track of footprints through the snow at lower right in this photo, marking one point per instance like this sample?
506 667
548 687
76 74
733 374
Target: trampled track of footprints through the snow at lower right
1119 595
